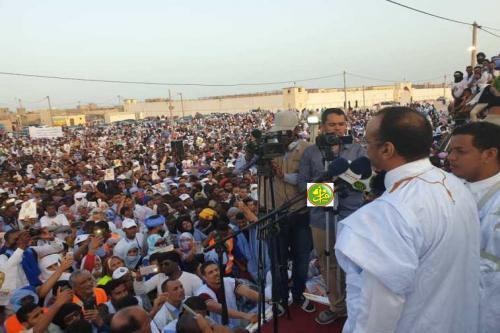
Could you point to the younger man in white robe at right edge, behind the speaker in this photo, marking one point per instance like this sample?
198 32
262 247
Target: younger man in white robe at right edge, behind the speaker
475 157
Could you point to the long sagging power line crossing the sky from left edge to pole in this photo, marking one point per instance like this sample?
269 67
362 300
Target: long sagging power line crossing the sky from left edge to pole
164 83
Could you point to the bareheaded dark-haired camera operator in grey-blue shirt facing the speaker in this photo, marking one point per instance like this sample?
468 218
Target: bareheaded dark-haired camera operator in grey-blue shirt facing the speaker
312 166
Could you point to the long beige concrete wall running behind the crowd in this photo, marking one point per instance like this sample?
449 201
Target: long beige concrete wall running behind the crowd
290 98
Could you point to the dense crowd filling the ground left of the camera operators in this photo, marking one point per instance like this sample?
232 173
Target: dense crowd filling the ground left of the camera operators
113 216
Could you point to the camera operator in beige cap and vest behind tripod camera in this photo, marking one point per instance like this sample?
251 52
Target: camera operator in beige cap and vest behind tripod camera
295 240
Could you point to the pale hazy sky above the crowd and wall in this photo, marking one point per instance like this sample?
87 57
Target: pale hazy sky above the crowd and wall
223 41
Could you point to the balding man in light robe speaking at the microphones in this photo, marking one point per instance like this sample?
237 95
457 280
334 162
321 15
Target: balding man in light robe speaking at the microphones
411 256
